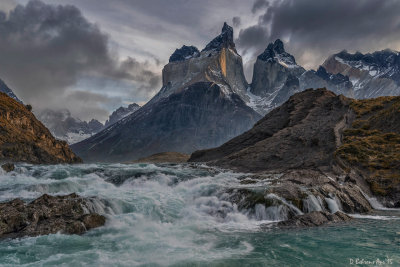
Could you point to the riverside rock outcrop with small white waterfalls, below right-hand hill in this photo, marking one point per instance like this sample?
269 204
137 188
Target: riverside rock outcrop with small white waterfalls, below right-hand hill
289 196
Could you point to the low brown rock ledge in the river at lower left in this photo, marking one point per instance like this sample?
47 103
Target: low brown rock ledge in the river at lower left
47 215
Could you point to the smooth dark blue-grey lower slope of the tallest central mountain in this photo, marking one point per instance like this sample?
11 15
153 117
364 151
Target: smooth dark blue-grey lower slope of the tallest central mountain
201 116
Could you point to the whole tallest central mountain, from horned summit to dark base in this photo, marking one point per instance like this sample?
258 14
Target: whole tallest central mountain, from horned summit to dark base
201 104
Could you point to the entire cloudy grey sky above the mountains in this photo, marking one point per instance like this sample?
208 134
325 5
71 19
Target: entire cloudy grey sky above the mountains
91 56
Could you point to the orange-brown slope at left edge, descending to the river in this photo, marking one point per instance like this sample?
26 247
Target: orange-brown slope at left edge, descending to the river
24 138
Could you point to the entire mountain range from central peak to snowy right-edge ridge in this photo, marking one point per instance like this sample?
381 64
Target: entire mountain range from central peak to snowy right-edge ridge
205 99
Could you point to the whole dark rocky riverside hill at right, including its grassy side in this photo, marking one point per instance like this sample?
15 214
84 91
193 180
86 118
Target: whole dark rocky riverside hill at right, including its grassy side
352 143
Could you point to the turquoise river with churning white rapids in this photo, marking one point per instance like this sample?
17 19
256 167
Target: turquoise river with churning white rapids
180 215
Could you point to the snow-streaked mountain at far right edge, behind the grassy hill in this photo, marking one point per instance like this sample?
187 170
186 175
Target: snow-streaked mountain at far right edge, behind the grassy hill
372 75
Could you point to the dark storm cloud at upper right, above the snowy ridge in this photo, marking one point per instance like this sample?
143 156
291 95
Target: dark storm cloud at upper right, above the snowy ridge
315 29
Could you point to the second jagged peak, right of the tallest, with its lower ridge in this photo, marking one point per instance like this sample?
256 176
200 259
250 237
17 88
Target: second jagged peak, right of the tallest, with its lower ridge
277 76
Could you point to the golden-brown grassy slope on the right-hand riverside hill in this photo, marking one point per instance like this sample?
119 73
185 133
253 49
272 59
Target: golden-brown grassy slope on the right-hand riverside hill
373 143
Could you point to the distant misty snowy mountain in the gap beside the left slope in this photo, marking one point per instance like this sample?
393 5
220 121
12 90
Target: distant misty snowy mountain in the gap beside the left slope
64 127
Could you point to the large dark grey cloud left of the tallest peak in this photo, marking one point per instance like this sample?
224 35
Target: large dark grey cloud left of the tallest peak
46 49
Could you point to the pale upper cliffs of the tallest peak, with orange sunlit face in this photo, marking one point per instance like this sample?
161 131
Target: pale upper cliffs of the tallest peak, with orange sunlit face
218 62
